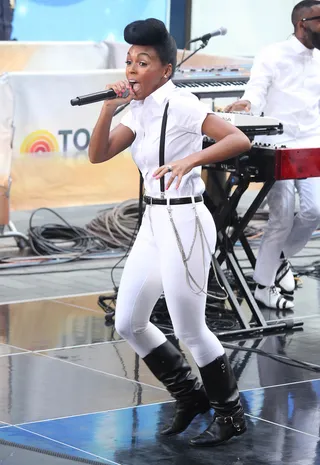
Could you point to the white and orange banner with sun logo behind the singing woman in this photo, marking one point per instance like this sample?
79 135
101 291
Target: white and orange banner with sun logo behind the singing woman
50 137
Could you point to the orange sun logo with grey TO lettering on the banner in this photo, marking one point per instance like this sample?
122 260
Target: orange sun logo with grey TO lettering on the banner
44 141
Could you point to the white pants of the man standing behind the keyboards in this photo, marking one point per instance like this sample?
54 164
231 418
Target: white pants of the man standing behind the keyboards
286 232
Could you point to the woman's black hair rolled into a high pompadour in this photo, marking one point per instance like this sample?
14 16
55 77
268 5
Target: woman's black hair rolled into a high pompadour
154 33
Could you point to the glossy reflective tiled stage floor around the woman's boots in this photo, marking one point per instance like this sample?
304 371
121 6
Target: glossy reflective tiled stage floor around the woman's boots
70 386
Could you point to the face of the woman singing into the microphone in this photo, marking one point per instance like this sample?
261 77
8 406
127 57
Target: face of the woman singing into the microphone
144 71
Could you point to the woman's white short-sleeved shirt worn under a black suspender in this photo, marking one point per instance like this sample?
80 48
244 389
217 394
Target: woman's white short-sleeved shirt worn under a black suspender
183 136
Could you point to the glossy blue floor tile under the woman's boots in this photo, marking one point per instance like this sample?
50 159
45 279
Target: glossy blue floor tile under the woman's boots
131 437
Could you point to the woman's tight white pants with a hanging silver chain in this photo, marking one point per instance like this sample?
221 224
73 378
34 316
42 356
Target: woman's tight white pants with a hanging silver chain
154 266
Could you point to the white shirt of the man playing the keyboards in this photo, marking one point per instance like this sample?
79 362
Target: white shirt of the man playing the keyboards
285 84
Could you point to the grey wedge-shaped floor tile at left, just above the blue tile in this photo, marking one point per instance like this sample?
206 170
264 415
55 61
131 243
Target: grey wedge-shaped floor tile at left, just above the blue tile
35 387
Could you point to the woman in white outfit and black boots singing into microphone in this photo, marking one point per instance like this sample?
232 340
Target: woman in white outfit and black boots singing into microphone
173 249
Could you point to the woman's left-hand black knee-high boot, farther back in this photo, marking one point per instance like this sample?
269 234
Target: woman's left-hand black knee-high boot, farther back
170 367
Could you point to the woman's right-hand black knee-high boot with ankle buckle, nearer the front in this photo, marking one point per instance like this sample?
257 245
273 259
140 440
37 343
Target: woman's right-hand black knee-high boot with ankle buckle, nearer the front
222 390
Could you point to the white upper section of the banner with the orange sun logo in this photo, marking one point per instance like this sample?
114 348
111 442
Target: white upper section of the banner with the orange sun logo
44 120
